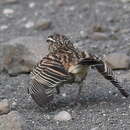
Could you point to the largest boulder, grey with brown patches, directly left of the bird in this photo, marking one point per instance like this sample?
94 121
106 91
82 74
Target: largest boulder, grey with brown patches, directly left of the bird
21 54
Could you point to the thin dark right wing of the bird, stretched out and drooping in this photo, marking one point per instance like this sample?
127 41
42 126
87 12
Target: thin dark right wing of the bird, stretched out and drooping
103 68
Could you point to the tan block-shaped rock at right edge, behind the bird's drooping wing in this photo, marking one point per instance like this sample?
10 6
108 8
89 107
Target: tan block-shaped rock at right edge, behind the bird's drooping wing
118 60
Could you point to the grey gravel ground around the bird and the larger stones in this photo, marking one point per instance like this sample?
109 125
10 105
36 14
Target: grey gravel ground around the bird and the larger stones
101 105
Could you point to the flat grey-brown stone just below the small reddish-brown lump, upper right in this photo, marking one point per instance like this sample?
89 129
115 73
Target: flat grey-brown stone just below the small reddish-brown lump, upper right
98 36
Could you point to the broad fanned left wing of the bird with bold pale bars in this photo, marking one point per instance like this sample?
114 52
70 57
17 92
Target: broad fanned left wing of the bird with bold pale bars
46 76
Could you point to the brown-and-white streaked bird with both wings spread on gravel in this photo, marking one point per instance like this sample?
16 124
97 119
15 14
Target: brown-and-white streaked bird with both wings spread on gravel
65 64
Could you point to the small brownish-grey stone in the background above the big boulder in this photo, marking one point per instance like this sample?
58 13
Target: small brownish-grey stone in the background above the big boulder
43 24
